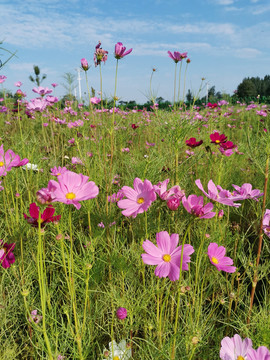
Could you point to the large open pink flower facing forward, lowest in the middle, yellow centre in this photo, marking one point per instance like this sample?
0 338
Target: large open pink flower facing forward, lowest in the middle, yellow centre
166 255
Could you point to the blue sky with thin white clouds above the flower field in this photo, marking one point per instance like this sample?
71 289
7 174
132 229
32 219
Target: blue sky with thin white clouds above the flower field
226 41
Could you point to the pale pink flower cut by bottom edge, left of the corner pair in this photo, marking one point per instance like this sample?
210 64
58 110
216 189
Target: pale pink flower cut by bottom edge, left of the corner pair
234 348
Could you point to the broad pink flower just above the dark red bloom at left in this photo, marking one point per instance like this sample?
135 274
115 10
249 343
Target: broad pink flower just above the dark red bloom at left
72 188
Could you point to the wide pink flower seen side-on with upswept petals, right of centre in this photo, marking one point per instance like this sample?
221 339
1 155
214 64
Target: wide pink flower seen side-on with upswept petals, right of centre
216 193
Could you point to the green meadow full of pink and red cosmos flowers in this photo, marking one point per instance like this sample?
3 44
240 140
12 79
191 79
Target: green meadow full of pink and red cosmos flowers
134 234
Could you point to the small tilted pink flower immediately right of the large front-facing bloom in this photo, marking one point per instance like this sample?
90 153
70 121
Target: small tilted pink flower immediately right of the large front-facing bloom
217 257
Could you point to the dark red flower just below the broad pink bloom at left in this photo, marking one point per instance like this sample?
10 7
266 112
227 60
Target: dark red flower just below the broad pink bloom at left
45 217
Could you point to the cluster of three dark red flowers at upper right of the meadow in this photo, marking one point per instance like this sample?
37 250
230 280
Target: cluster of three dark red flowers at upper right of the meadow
225 147
